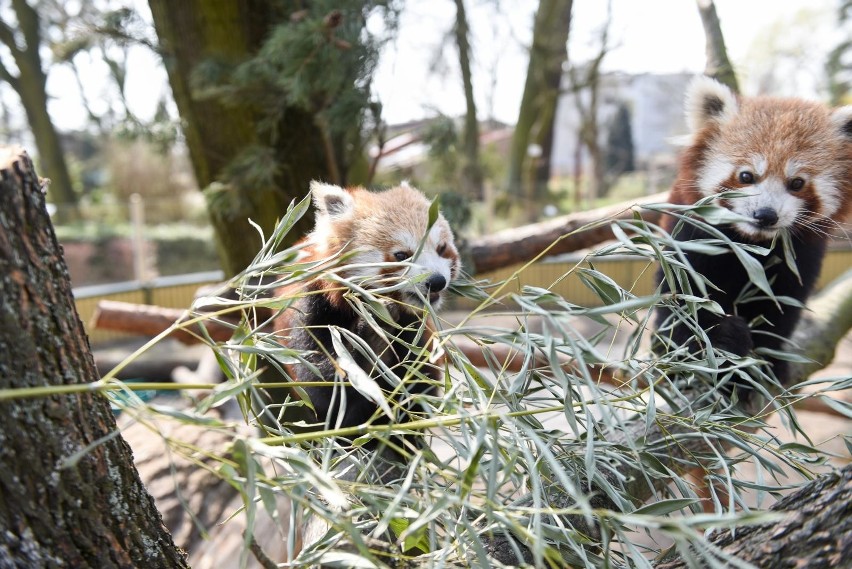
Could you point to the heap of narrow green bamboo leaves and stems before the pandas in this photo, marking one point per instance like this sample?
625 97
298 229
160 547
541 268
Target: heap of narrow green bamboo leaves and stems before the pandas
543 455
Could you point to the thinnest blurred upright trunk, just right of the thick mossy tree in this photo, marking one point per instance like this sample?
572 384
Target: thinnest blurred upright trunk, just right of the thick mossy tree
471 170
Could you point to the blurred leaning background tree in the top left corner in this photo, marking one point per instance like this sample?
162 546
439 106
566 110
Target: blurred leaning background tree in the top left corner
24 41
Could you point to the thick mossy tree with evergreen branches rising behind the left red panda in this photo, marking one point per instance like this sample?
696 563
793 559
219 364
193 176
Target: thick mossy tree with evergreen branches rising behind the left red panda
272 96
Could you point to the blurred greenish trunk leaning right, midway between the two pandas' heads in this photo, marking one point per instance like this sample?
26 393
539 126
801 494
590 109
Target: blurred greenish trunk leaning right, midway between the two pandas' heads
537 112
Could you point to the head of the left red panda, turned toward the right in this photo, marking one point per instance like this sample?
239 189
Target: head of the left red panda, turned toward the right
386 227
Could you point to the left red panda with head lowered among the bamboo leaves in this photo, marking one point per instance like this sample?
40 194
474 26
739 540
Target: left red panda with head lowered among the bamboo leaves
391 243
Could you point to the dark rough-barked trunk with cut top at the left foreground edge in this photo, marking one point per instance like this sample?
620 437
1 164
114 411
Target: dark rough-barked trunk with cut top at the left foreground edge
69 493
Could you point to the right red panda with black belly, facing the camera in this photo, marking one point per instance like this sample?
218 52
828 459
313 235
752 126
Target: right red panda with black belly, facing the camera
793 160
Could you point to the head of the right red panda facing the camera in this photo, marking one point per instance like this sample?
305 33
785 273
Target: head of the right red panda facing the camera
790 158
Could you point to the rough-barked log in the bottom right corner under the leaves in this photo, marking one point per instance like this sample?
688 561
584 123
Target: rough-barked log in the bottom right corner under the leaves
815 532
